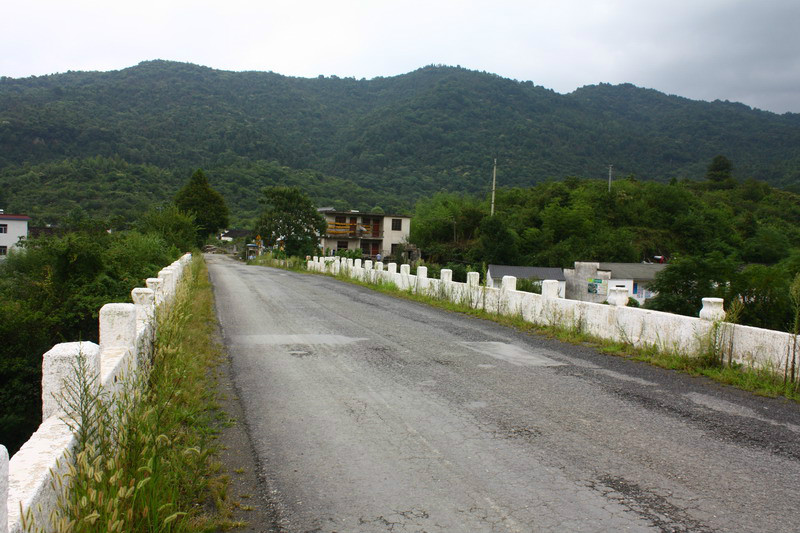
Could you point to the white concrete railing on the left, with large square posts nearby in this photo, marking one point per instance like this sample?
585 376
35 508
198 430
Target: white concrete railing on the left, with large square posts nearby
126 334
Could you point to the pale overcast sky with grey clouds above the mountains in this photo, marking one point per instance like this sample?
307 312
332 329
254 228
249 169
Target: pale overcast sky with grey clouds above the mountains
740 50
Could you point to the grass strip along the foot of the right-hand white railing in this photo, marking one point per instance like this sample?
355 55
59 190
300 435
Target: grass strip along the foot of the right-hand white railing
760 381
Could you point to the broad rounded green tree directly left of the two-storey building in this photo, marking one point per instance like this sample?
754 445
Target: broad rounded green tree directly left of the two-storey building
290 217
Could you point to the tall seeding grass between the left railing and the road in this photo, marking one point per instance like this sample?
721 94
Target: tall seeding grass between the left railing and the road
146 462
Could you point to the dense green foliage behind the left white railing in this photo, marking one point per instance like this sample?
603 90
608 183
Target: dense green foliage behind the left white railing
51 291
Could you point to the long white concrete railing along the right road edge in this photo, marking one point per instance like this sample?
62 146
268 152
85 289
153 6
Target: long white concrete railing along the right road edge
641 328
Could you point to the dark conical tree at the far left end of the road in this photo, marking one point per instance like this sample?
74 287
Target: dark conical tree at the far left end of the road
207 205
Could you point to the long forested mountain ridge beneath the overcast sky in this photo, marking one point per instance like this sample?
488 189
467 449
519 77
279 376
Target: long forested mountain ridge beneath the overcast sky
386 140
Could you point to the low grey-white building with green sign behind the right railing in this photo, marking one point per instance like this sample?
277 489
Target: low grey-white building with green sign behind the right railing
590 282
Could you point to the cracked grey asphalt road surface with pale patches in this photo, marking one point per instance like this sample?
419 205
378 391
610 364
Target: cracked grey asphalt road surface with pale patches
371 413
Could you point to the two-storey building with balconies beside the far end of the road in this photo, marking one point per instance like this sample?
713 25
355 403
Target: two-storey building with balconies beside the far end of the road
374 233
